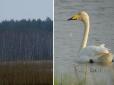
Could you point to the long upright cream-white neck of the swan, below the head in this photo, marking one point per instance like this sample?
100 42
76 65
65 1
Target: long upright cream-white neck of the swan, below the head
86 33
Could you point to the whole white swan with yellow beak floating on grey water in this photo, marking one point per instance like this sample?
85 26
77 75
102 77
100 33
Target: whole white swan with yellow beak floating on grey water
91 53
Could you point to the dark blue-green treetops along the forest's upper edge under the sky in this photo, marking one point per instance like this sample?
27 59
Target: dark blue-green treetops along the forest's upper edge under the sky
27 25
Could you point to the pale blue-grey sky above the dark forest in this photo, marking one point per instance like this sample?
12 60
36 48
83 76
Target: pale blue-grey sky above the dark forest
25 9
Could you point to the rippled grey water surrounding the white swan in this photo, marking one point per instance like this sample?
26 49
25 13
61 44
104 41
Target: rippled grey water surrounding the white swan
68 36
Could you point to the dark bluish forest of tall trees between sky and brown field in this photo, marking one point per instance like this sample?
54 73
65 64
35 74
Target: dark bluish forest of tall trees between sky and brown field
26 40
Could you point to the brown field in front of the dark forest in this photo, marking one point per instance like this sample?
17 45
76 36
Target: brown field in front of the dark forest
26 73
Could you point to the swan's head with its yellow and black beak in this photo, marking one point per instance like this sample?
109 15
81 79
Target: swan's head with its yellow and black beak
82 16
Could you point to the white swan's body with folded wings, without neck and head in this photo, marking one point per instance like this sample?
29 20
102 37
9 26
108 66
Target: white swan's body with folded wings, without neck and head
96 53
